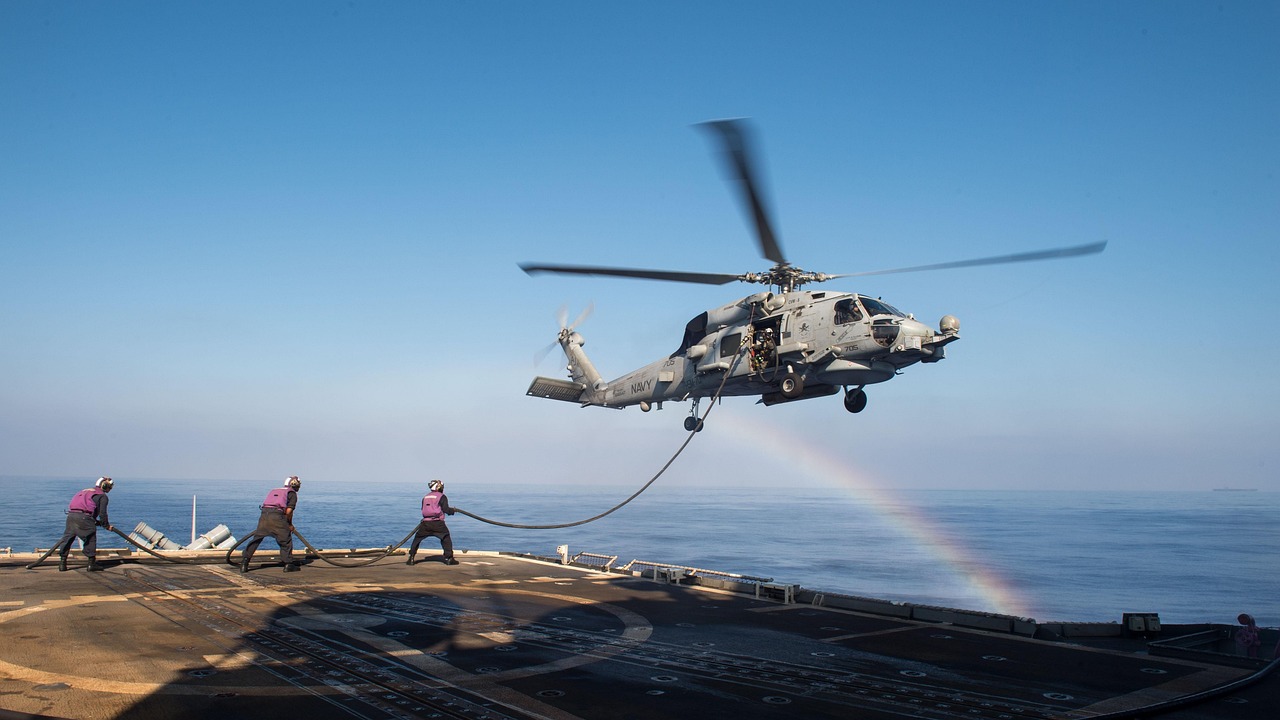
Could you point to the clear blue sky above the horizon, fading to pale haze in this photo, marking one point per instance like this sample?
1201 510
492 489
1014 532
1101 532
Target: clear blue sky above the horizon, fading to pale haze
246 241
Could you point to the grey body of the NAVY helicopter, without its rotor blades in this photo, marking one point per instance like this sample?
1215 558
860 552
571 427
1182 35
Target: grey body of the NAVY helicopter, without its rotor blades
781 348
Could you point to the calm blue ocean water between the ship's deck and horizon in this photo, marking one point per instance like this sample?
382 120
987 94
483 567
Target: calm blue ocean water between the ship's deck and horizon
1191 557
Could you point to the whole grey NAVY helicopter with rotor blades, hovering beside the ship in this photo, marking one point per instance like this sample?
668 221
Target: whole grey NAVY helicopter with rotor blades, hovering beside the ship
783 345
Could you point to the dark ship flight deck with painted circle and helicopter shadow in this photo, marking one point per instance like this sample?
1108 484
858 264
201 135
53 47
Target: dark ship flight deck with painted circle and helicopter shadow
504 637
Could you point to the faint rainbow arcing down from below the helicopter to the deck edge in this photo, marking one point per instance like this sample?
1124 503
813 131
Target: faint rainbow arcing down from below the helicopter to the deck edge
815 462
